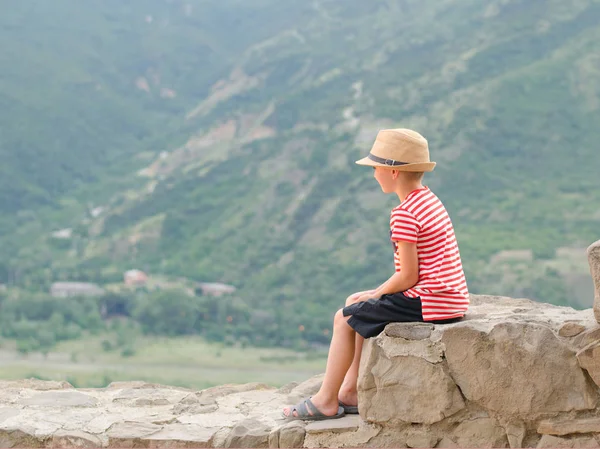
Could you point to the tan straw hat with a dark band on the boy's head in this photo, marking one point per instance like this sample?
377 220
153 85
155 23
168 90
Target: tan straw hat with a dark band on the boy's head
400 149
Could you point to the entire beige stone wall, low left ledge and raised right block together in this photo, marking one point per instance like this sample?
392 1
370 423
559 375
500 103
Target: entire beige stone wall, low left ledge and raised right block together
515 373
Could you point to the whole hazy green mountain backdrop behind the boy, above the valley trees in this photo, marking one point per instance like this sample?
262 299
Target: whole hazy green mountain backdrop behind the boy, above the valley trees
216 141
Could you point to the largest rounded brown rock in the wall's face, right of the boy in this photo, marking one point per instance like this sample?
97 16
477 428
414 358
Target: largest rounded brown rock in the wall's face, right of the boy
482 361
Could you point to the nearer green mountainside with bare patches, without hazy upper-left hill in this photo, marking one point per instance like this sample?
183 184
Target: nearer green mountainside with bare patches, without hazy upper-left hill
253 182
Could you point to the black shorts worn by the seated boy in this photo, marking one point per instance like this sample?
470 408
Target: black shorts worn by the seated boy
369 318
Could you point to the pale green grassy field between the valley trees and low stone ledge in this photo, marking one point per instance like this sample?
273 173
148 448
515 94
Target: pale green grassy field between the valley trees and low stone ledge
189 362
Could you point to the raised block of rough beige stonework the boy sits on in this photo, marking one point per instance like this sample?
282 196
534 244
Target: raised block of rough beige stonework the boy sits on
514 373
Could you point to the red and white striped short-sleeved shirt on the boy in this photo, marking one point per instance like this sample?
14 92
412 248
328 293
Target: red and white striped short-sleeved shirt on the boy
422 219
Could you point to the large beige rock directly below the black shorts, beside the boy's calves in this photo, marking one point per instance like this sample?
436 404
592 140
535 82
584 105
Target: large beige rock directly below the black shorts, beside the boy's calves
407 388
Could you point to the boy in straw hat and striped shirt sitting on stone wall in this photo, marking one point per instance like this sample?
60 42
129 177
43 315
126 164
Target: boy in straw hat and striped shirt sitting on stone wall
428 283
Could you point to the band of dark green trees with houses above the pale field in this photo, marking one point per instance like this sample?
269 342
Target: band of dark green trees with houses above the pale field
37 321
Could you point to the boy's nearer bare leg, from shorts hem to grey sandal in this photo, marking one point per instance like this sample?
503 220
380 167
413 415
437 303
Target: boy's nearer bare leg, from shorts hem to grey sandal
341 354
